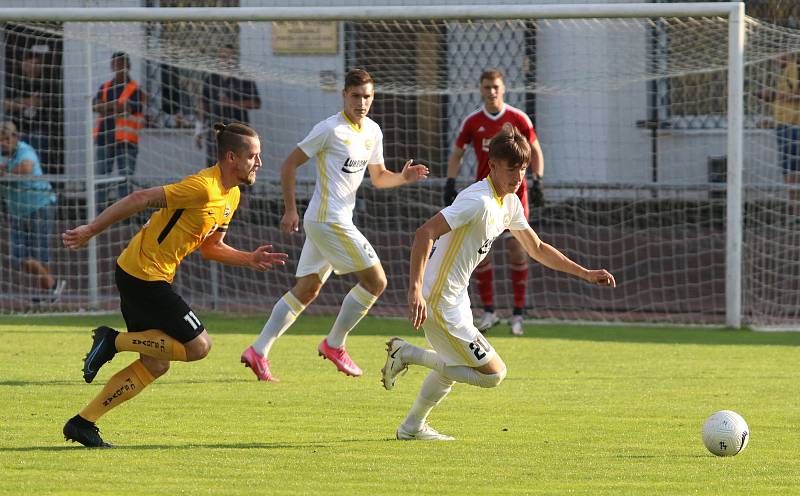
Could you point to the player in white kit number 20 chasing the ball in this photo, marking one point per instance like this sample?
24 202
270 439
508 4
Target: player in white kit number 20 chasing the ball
439 301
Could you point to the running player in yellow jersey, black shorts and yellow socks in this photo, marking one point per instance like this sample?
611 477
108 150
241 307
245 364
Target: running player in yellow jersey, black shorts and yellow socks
193 213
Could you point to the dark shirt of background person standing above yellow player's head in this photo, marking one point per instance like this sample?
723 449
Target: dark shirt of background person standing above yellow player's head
216 86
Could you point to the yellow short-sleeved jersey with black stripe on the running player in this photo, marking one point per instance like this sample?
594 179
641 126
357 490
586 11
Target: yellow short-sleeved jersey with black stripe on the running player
197 207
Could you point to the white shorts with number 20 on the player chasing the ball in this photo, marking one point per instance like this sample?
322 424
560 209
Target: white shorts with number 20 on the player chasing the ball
452 334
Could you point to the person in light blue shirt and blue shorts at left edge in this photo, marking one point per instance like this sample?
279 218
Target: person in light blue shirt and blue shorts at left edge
30 209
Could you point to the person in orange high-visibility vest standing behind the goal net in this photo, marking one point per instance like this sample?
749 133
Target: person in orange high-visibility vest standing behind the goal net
119 104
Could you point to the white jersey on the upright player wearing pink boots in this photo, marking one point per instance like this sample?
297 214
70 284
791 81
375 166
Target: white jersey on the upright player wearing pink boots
342 152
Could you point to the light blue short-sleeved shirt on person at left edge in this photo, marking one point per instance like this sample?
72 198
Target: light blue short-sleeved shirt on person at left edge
25 197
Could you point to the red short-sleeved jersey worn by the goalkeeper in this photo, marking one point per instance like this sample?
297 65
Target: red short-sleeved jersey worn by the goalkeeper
480 127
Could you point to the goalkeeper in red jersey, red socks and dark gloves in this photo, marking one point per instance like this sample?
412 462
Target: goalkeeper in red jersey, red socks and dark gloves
478 129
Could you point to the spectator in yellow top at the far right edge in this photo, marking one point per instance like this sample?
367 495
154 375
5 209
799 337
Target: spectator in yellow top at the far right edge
787 127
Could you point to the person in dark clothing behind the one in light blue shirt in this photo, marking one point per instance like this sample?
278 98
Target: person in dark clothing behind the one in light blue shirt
28 99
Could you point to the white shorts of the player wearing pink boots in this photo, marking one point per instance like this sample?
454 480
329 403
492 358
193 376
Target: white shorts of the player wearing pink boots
334 247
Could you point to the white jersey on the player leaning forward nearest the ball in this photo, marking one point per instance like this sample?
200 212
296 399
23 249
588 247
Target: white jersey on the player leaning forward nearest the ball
476 218
